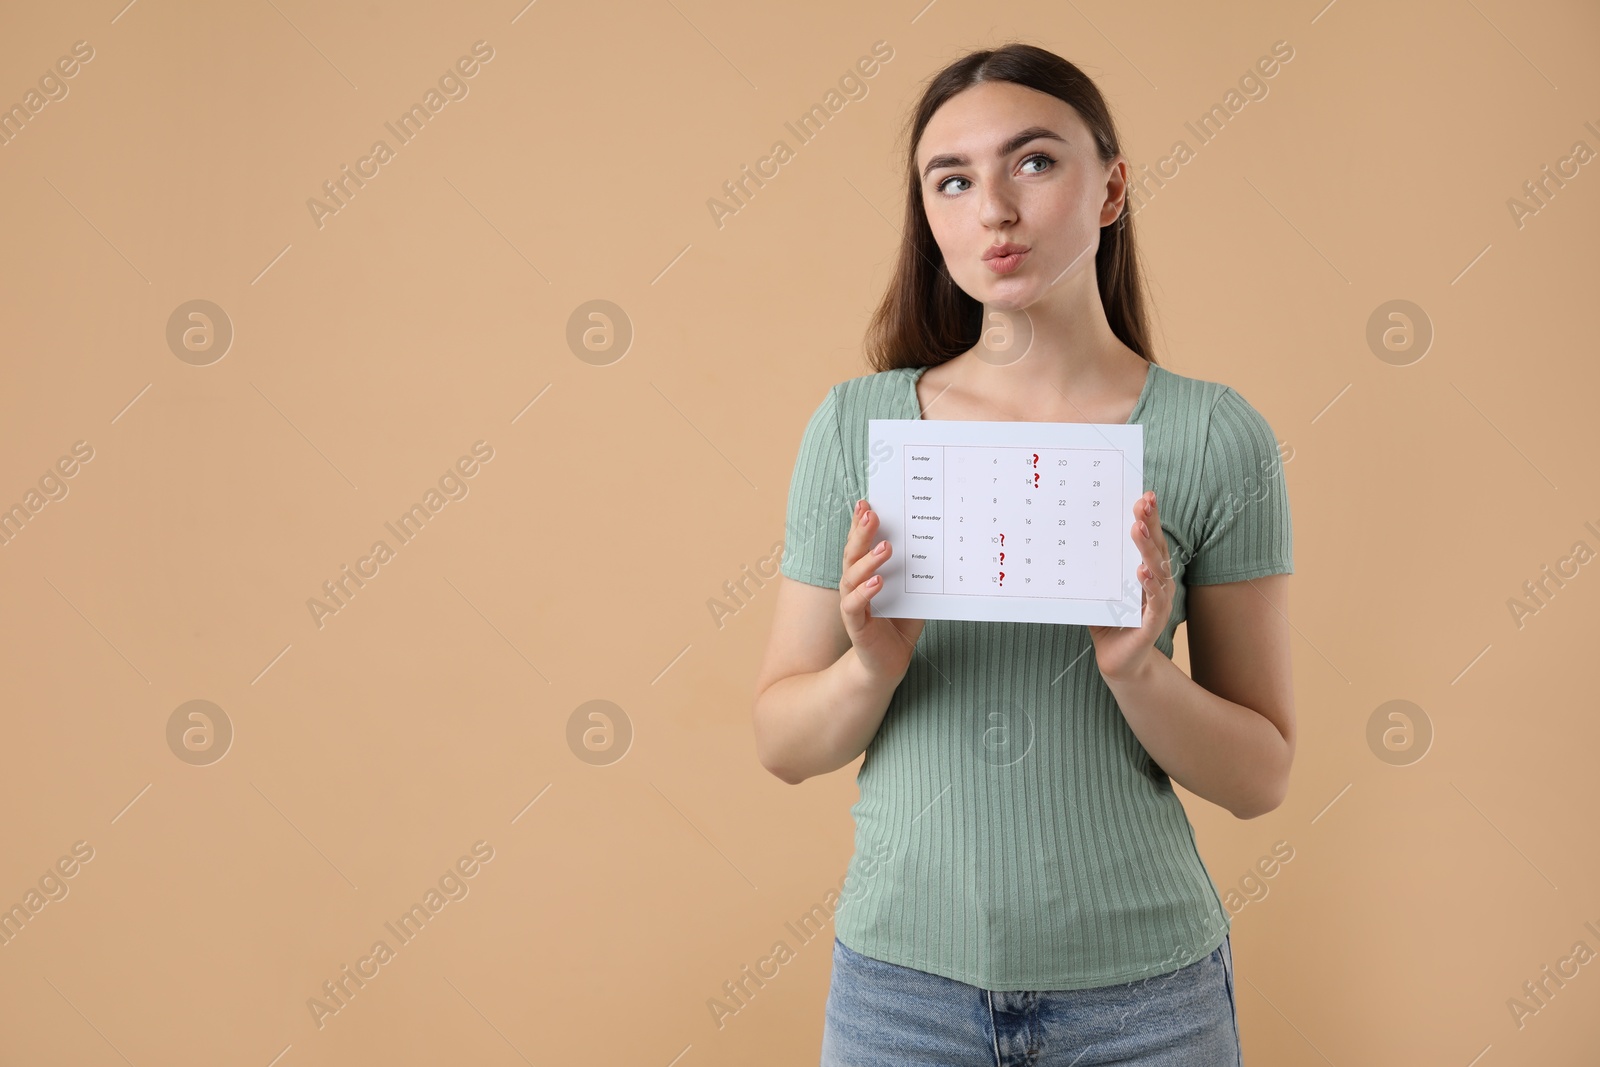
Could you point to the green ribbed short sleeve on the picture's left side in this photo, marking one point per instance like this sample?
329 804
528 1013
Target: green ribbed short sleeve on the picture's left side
820 503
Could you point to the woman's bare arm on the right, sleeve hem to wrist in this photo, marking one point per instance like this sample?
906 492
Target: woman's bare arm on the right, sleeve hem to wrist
1228 733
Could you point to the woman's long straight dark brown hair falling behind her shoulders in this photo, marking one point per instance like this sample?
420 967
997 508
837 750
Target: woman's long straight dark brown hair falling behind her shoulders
926 319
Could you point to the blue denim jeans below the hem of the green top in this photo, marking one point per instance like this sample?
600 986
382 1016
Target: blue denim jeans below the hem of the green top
882 1015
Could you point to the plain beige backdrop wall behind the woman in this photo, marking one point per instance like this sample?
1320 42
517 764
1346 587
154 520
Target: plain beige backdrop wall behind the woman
369 354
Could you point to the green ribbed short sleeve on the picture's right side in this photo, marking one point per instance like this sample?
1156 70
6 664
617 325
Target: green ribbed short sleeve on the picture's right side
1244 514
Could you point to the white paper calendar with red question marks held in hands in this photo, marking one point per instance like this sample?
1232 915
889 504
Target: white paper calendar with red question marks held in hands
1009 522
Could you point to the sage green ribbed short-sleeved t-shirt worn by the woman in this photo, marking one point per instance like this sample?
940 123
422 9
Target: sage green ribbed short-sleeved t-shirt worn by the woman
1012 831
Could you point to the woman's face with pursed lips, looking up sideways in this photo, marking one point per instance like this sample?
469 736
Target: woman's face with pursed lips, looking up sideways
1004 164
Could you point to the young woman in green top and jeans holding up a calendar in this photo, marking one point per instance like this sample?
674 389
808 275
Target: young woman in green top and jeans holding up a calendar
1026 887
